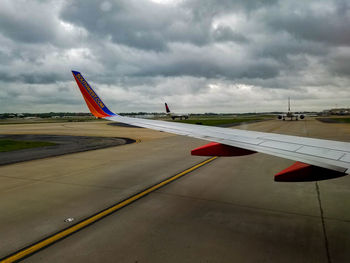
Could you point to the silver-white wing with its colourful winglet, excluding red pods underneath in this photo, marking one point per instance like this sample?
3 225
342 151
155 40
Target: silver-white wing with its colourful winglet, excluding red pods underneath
333 155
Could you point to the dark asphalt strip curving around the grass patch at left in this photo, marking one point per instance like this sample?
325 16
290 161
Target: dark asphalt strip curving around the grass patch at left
64 144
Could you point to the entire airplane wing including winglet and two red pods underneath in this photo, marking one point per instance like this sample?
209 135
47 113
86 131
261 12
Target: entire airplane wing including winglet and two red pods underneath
316 159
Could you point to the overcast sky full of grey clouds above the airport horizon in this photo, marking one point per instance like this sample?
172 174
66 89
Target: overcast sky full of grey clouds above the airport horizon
197 55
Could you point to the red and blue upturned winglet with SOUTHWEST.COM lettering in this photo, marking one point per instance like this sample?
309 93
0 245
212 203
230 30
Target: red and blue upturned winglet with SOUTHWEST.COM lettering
93 101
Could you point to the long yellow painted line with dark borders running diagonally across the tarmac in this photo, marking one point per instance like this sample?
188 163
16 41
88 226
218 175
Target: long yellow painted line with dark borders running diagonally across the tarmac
56 237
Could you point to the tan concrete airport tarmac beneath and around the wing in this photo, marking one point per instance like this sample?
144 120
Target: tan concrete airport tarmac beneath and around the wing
229 210
